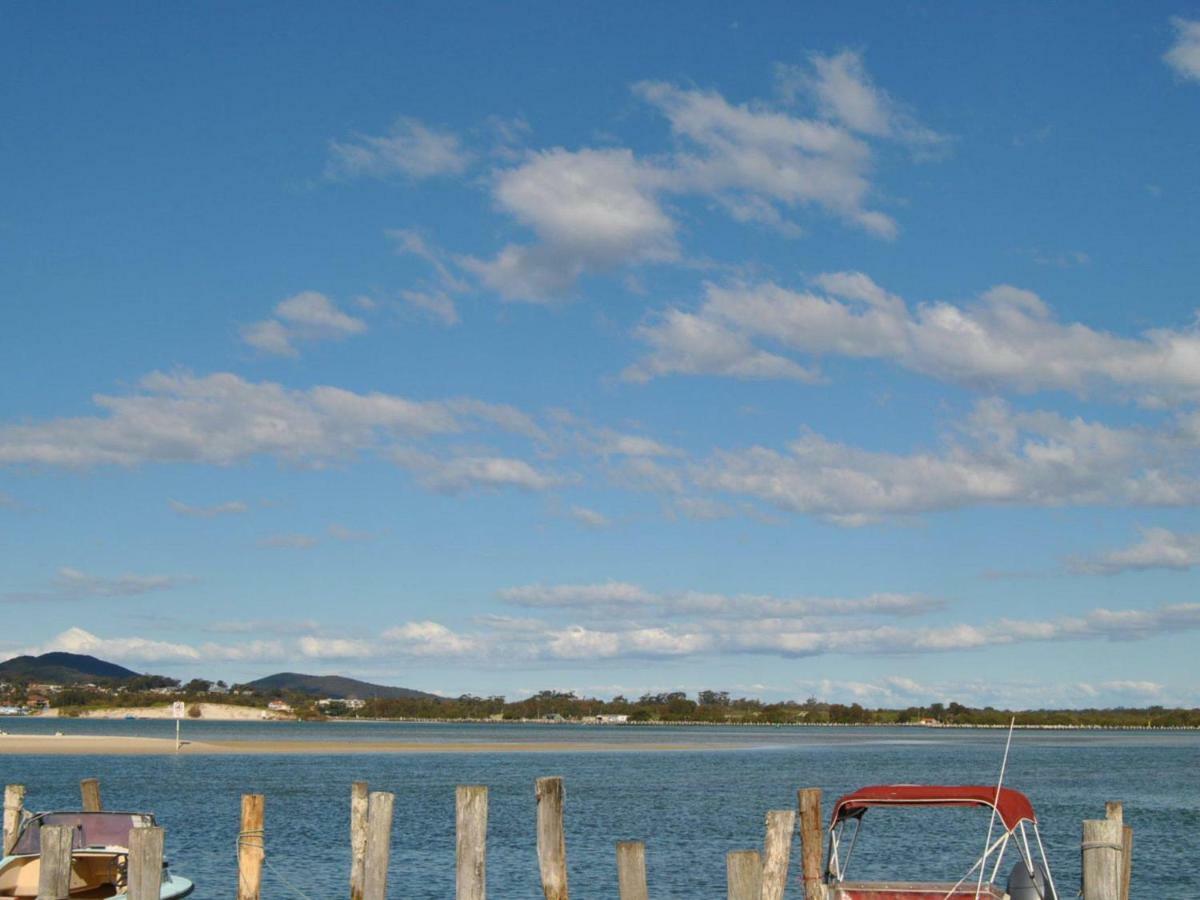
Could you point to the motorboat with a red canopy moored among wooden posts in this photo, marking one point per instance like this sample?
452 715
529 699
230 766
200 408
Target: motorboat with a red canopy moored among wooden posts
1028 880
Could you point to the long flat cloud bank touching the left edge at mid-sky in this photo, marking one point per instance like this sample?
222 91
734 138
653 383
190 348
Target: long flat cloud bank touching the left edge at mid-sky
224 419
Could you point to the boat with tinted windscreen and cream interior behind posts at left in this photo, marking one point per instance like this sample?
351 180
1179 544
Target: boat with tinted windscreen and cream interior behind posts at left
99 857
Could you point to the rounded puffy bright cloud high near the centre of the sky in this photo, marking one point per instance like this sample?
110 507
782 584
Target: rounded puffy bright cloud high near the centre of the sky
591 209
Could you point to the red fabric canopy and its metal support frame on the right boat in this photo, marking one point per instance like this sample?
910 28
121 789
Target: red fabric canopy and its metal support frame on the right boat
1013 809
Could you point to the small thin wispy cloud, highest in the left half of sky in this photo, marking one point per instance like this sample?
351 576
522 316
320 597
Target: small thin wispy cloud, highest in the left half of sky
411 149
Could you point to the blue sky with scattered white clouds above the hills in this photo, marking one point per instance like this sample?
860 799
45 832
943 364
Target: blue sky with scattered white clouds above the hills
843 351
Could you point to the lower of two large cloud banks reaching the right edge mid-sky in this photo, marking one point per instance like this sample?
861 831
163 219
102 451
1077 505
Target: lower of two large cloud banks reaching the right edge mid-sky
999 458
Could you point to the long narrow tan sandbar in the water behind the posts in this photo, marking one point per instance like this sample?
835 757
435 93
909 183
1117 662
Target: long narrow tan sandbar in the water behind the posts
113 746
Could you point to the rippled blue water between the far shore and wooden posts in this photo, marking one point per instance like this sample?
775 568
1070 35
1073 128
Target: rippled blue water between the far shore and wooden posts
689 807
